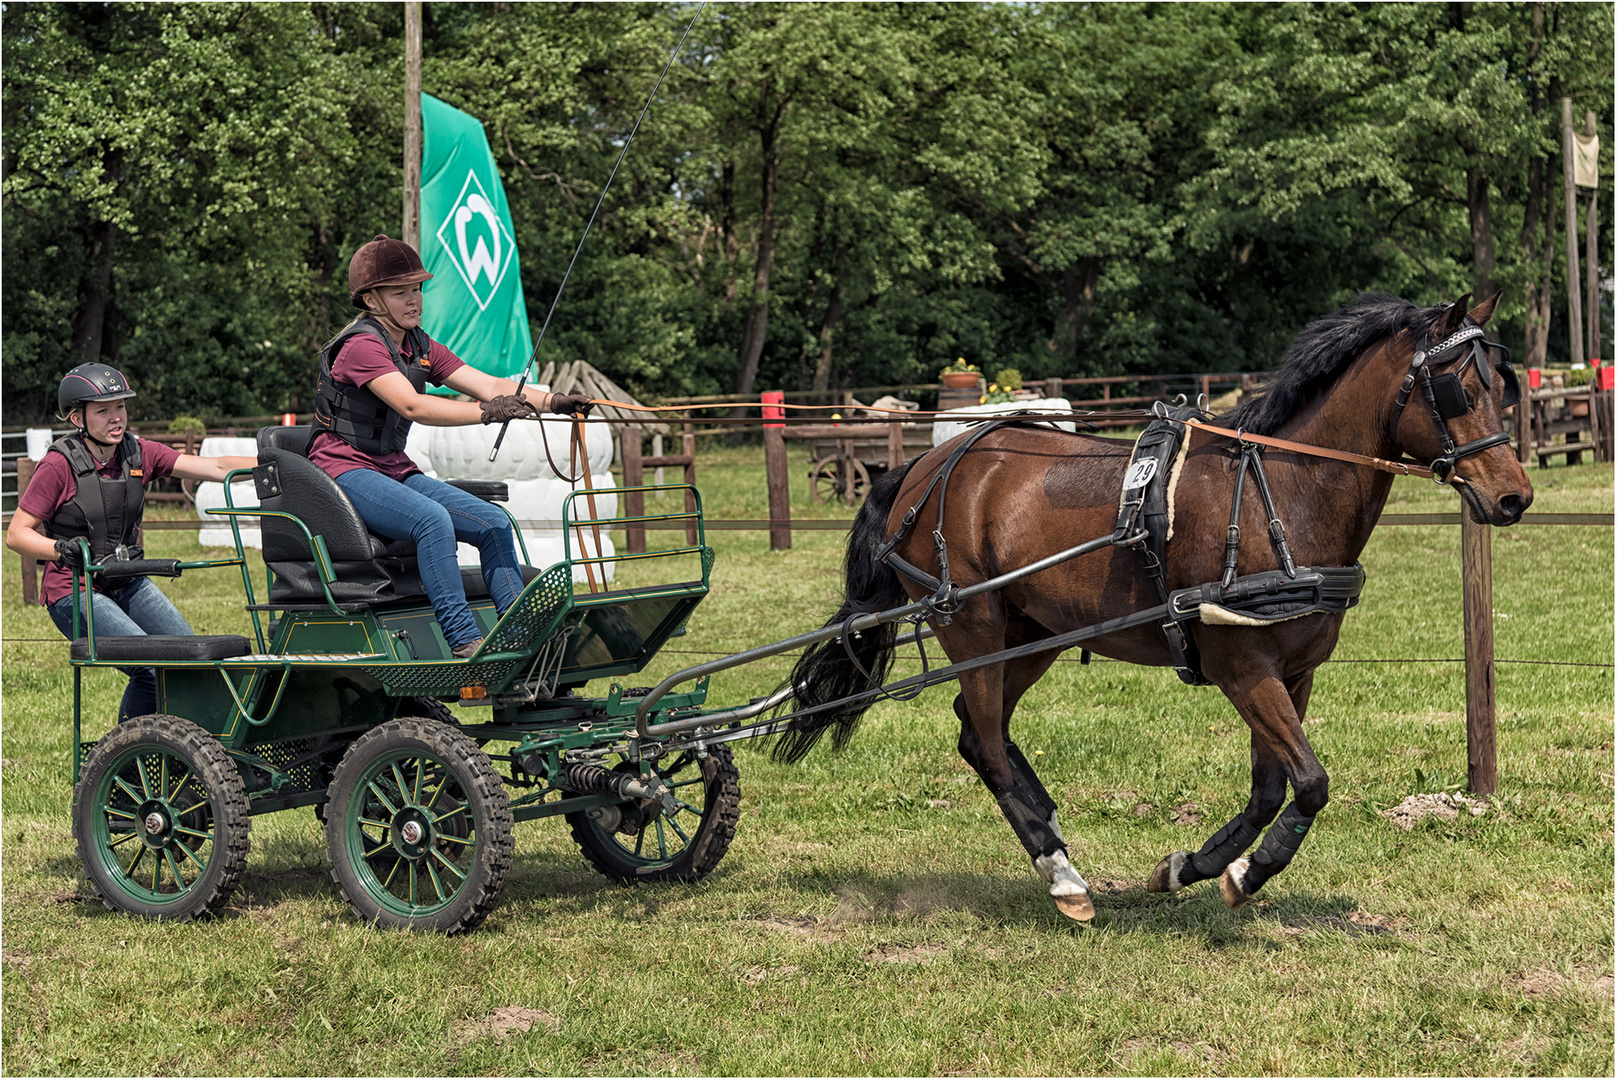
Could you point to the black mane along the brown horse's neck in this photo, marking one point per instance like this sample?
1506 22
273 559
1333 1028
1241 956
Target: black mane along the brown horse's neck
1320 355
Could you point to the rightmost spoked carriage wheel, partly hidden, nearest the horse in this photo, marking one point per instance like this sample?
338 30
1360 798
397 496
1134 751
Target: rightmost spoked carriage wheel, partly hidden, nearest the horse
643 842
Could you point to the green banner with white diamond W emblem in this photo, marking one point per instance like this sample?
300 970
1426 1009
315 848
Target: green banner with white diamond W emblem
475 302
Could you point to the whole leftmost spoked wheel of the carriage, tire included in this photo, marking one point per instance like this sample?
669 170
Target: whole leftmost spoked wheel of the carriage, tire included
161 819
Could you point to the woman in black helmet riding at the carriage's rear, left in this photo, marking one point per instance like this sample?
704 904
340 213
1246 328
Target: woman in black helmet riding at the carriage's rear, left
62 507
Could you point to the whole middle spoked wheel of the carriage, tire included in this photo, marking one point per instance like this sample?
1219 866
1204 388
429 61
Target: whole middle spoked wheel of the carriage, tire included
420 829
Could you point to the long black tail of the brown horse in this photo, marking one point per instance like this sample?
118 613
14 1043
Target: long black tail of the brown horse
834 670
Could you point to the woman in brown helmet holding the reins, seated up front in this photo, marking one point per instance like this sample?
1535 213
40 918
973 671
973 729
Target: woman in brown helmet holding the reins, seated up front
373 381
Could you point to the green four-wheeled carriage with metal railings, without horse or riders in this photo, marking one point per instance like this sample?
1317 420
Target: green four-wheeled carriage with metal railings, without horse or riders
329 680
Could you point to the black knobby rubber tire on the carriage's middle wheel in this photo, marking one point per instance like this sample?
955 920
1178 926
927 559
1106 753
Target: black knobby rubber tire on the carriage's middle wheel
486 799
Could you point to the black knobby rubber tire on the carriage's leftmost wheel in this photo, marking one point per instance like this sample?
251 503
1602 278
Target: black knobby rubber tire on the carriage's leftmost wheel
226 811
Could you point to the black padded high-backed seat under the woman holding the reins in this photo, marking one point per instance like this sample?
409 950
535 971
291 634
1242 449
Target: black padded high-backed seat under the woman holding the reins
369 570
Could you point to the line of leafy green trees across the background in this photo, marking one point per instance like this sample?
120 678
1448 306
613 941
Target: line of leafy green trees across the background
822 196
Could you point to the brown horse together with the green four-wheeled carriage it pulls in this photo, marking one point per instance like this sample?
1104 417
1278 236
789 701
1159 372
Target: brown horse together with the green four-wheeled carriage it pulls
339 702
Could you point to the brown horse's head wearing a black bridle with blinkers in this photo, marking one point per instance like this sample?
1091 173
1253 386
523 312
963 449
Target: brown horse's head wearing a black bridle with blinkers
1456 397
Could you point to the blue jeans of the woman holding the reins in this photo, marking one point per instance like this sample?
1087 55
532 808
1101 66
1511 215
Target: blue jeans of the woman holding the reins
434 517
